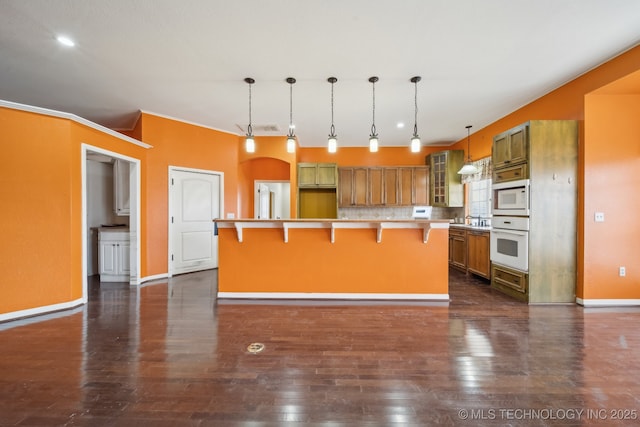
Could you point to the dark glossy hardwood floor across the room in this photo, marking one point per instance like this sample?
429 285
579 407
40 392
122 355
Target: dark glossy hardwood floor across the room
169 354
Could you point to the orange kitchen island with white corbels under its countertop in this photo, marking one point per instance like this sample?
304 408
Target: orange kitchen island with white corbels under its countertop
333 259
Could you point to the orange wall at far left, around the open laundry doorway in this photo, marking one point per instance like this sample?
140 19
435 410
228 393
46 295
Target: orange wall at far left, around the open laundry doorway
40 219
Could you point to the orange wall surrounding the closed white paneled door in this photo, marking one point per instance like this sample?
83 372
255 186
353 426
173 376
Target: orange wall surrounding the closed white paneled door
179 144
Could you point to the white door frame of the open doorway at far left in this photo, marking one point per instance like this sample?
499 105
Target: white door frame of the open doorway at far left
134 214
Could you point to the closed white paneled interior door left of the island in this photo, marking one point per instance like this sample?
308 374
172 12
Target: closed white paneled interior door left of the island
194 203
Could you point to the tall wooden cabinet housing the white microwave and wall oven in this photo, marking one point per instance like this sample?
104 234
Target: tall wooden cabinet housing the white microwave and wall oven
545 152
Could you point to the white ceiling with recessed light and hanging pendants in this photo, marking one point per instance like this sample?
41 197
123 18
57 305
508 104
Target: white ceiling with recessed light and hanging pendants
479 60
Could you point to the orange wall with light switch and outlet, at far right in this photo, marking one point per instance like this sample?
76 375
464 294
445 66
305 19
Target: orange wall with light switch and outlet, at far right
612 156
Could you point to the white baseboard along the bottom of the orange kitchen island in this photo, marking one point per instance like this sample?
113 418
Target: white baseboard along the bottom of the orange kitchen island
343 296
